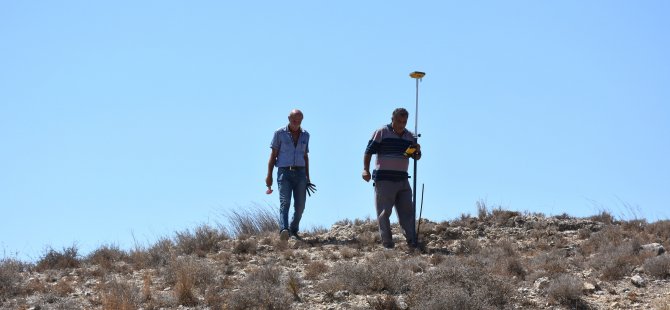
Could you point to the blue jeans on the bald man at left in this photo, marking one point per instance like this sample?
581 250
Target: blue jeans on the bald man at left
291 182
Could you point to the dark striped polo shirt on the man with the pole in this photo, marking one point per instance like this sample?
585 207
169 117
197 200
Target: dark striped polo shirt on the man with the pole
391 164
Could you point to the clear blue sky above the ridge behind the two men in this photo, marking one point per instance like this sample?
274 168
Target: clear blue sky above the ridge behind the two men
136 119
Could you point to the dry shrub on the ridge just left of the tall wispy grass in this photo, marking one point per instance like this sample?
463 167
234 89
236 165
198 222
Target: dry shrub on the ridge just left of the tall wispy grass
204 239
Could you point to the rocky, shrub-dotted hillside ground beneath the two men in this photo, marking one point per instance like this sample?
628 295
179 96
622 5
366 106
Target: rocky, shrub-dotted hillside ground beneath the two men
497 260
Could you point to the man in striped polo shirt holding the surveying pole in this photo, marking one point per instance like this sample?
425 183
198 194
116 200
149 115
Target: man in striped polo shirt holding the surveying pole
390 176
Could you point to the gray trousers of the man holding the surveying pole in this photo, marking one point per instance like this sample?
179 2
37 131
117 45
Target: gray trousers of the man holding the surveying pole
398 194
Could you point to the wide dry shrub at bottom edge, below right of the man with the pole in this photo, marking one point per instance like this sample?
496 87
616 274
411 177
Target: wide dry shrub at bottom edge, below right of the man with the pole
454 285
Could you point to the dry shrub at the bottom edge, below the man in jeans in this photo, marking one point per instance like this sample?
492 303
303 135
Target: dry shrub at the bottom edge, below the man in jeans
261 290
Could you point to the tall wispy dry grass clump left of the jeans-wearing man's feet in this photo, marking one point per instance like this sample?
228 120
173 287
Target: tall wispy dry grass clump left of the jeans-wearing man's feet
252 221
